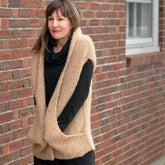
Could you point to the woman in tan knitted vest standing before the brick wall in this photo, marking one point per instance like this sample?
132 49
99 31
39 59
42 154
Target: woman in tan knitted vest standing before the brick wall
62 67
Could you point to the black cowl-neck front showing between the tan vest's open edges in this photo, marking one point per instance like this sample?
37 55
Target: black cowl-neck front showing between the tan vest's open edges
53 66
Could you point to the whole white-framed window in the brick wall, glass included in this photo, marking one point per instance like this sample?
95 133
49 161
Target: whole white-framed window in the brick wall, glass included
142 26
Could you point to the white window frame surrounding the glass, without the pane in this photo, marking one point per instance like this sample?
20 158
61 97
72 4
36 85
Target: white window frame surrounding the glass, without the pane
147 45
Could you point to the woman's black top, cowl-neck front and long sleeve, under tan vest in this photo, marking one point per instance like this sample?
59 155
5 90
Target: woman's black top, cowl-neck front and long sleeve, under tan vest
53 66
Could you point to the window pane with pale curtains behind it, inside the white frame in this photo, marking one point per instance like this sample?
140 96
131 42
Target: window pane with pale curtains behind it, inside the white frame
139 20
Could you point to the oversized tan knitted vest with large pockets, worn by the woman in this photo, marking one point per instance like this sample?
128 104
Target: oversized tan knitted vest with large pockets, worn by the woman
48 142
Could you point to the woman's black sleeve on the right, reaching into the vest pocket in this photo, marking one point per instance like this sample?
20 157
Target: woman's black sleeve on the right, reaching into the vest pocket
79 96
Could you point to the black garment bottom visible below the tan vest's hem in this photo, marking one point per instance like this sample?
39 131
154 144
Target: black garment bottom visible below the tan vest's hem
87 159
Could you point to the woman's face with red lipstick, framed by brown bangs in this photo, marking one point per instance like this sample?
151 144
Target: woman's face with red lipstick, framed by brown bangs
59 26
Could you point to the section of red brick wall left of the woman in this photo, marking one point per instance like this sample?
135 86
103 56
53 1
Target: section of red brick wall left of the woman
20 22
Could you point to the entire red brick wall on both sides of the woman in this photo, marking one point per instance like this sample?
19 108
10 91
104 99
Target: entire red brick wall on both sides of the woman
128 114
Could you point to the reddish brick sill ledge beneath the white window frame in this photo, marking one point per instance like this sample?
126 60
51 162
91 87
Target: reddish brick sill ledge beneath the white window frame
145 59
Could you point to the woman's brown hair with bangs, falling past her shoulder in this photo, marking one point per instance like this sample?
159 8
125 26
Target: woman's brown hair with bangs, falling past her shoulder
69 10
